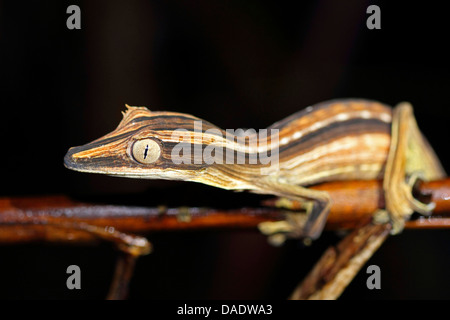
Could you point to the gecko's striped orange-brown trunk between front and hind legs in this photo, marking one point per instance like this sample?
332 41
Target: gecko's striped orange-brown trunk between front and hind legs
334 140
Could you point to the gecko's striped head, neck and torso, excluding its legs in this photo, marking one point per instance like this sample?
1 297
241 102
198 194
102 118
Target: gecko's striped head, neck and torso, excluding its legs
332 141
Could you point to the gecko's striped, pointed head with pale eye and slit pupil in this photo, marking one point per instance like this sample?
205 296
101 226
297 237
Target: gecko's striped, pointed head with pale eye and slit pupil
149 145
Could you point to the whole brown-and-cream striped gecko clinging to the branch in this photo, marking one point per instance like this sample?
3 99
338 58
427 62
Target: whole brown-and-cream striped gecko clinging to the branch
349 139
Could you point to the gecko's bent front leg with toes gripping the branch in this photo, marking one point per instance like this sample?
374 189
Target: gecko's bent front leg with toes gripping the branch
297 224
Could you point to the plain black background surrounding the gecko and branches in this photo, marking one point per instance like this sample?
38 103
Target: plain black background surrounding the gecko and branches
237 64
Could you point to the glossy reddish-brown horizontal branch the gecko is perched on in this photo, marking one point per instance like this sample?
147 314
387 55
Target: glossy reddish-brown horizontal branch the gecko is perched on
40 218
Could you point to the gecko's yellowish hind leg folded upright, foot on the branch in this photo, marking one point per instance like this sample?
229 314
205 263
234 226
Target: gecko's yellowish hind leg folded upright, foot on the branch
410 159
